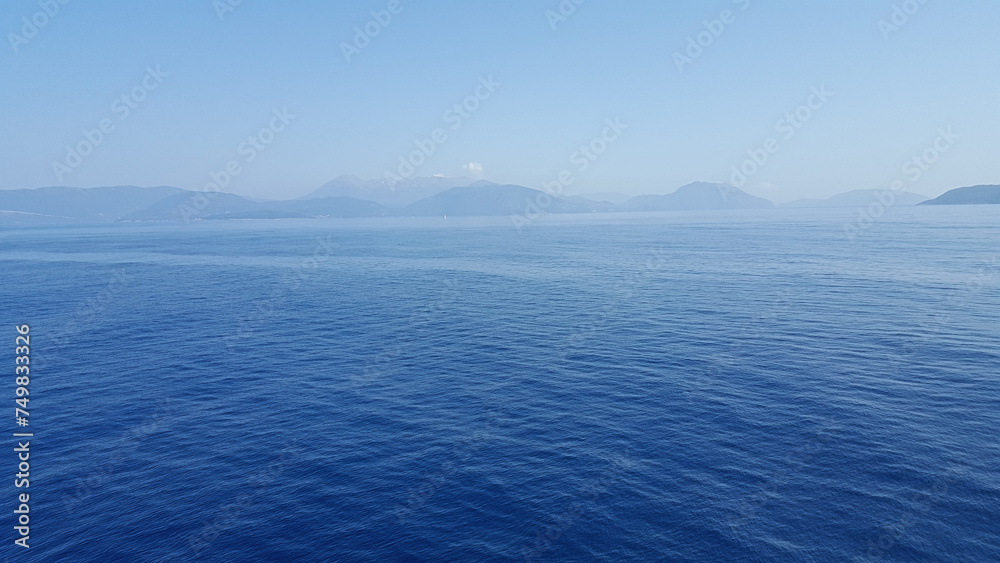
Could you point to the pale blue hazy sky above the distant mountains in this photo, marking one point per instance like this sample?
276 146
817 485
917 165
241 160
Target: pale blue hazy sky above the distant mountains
221 79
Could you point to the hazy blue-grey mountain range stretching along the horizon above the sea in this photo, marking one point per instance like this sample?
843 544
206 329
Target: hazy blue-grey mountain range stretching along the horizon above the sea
350 196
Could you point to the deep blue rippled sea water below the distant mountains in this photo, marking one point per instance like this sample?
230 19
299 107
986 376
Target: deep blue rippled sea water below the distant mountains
747 386
